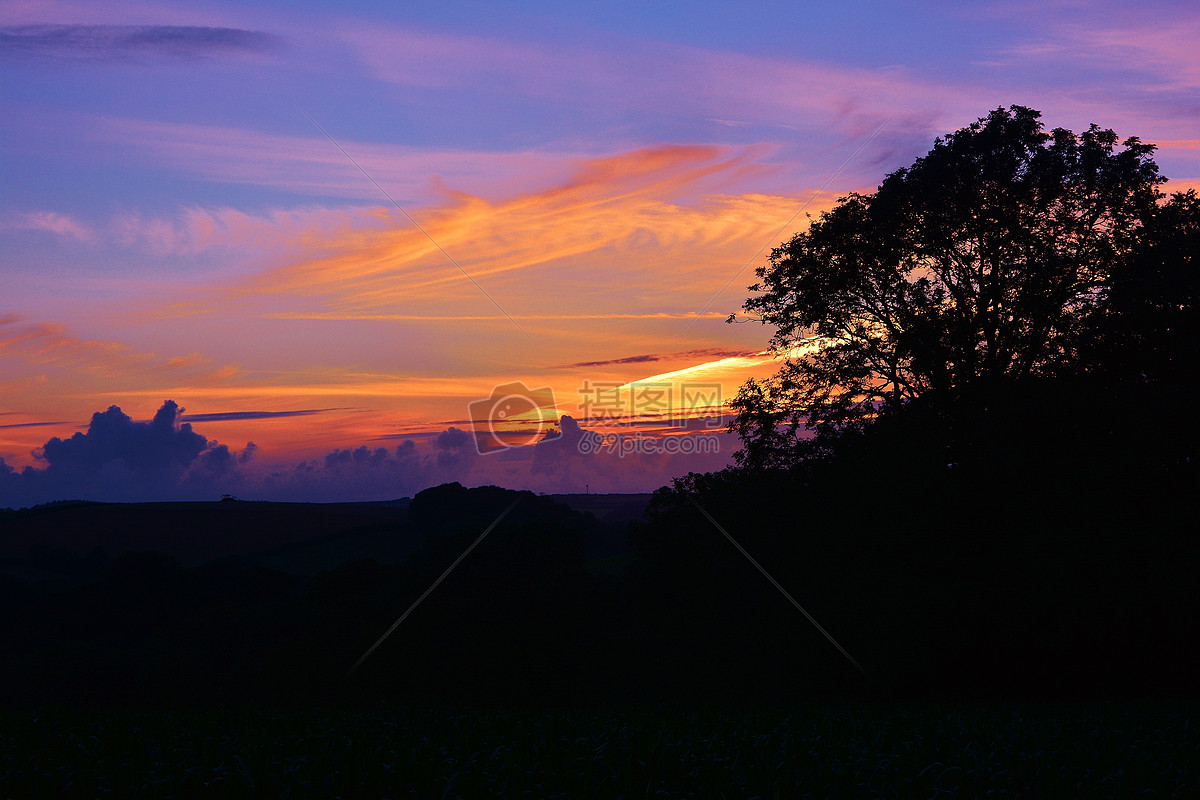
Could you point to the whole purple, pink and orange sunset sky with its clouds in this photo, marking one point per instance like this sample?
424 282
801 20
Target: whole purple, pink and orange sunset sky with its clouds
297 252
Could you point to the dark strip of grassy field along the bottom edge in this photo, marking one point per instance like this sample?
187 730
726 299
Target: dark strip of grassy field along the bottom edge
817 751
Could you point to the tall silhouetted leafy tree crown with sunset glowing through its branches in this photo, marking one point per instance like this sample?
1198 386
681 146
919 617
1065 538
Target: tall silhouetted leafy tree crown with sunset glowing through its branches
974 273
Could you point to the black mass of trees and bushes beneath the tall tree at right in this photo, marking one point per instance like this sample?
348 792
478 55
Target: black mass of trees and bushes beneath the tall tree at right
1060 562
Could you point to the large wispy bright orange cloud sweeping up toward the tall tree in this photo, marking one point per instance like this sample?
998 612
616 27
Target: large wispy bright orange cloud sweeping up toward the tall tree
653 220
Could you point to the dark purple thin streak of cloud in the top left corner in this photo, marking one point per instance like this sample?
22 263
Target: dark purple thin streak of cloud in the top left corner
129 44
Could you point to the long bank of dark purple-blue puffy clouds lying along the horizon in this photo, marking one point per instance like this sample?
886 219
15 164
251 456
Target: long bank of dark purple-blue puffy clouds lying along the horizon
165 459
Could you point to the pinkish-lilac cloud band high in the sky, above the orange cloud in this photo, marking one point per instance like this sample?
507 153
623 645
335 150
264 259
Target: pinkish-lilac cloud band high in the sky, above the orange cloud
712 86
